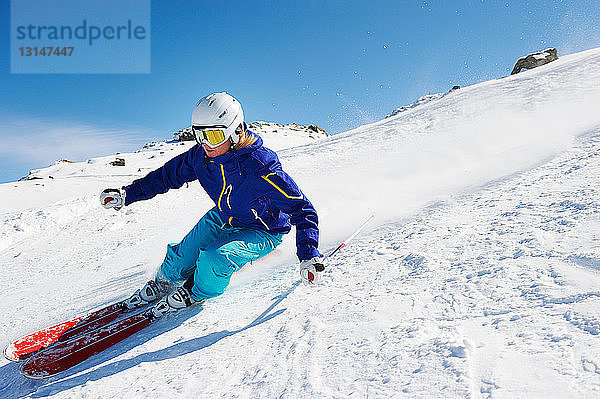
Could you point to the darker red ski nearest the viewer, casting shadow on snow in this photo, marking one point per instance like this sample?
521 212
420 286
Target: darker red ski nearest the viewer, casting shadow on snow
66 354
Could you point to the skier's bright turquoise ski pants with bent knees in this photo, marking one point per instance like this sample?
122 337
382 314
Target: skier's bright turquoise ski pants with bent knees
211 252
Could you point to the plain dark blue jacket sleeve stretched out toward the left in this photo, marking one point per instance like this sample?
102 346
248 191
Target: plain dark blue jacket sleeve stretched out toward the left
171 175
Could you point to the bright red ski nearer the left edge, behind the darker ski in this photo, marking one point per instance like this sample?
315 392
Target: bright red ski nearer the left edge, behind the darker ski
26 346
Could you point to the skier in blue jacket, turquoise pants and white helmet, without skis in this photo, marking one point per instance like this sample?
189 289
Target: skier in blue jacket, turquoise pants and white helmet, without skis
256 203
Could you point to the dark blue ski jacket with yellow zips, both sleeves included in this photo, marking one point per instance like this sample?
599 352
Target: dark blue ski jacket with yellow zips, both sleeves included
249 188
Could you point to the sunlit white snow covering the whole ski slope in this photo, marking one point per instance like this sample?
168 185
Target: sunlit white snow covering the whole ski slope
478 278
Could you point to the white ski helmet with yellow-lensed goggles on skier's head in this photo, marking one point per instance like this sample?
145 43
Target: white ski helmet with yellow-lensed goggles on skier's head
215 119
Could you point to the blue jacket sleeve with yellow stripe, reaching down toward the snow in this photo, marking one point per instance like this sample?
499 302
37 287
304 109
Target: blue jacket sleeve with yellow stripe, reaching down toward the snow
285 195
